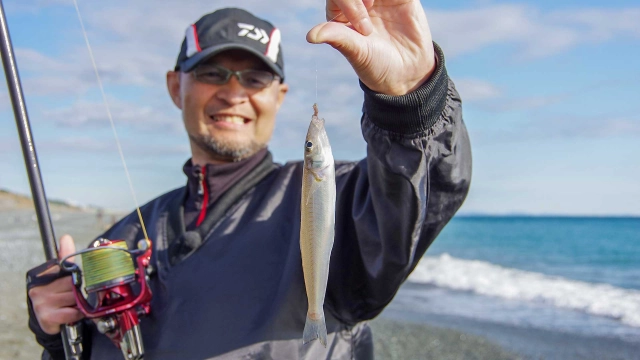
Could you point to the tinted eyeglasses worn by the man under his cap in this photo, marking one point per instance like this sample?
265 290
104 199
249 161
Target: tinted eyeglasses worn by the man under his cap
218 75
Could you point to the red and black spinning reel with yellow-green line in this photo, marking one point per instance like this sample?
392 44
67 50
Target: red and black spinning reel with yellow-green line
117 293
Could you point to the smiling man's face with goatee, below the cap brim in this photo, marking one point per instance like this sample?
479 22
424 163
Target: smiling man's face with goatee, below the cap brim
226 122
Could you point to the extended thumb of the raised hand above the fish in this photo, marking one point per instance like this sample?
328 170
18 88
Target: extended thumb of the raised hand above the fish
341 37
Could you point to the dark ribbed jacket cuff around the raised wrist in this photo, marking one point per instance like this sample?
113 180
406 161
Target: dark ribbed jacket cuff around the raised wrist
414 112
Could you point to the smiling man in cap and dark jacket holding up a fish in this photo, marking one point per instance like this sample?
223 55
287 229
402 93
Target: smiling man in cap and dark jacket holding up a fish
227 279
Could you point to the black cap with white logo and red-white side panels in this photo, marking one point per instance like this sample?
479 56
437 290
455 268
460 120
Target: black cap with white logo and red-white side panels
227 29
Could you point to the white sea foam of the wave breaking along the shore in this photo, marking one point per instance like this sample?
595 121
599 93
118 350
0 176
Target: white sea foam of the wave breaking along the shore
493 280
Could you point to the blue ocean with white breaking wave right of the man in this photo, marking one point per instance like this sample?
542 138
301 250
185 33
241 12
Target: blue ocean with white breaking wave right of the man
573 276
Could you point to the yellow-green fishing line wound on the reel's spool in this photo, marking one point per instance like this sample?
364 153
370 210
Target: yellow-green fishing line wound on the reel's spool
103 265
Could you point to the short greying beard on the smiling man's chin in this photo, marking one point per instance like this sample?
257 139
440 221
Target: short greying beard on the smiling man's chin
226 150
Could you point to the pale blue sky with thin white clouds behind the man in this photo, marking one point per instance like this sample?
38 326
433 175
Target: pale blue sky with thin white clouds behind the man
550 95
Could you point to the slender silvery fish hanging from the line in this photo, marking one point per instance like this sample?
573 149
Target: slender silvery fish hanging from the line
317 224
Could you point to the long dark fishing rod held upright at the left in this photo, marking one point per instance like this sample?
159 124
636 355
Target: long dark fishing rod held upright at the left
70 333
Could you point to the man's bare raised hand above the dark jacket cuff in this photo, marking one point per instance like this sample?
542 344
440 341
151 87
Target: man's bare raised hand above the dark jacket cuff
387 42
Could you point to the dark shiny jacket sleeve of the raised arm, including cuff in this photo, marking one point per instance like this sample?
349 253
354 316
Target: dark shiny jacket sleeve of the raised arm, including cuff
392 205
